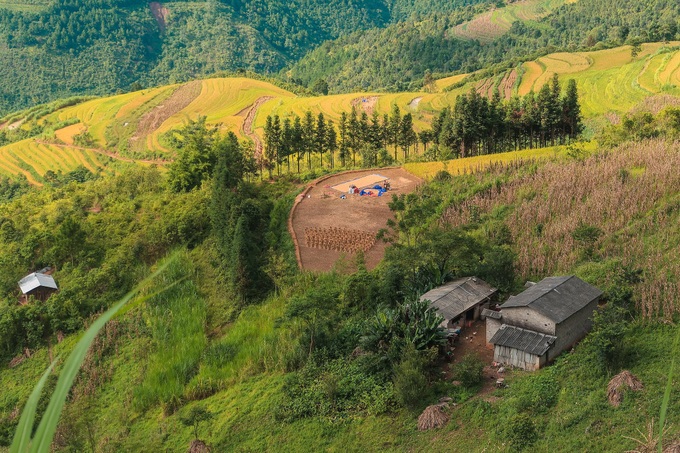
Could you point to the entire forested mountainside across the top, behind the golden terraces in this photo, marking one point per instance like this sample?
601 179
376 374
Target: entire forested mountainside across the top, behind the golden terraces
74 47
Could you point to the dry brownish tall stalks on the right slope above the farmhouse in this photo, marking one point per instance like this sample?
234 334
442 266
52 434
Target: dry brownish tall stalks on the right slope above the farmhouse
630 193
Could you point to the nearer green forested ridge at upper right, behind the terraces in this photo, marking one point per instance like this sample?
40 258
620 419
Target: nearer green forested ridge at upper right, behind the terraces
397 57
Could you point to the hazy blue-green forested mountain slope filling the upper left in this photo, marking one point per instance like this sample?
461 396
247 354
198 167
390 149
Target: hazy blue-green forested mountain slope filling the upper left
99 47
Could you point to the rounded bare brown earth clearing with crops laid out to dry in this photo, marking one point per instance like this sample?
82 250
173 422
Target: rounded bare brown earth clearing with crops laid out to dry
342 226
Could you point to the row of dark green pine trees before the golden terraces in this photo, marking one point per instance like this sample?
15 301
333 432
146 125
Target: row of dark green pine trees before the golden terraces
476 125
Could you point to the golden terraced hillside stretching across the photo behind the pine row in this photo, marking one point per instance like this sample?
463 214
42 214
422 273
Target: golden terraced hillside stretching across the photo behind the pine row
136 126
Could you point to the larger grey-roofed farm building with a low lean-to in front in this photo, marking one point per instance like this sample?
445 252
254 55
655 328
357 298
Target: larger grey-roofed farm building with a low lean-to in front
535 326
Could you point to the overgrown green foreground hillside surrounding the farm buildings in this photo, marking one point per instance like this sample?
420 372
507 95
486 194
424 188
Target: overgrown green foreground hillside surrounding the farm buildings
250 367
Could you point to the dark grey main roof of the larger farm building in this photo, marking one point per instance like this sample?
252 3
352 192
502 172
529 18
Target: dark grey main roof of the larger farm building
556 298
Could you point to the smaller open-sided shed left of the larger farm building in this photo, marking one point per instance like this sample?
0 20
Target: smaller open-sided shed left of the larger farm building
460 300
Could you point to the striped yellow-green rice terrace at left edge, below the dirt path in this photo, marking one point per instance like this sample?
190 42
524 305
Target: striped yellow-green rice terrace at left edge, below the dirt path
34 159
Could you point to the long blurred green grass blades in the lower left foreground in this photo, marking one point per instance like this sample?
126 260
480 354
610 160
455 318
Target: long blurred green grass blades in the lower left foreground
48 425
